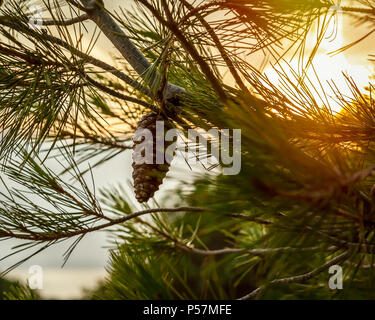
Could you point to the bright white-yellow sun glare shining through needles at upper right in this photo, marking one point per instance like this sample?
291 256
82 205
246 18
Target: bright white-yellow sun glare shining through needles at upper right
326 67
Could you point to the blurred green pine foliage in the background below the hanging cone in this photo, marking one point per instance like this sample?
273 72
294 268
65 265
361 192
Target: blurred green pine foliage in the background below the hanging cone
159 257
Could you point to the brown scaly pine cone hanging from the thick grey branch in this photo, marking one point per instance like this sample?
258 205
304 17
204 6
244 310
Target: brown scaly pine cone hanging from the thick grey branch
148 177
